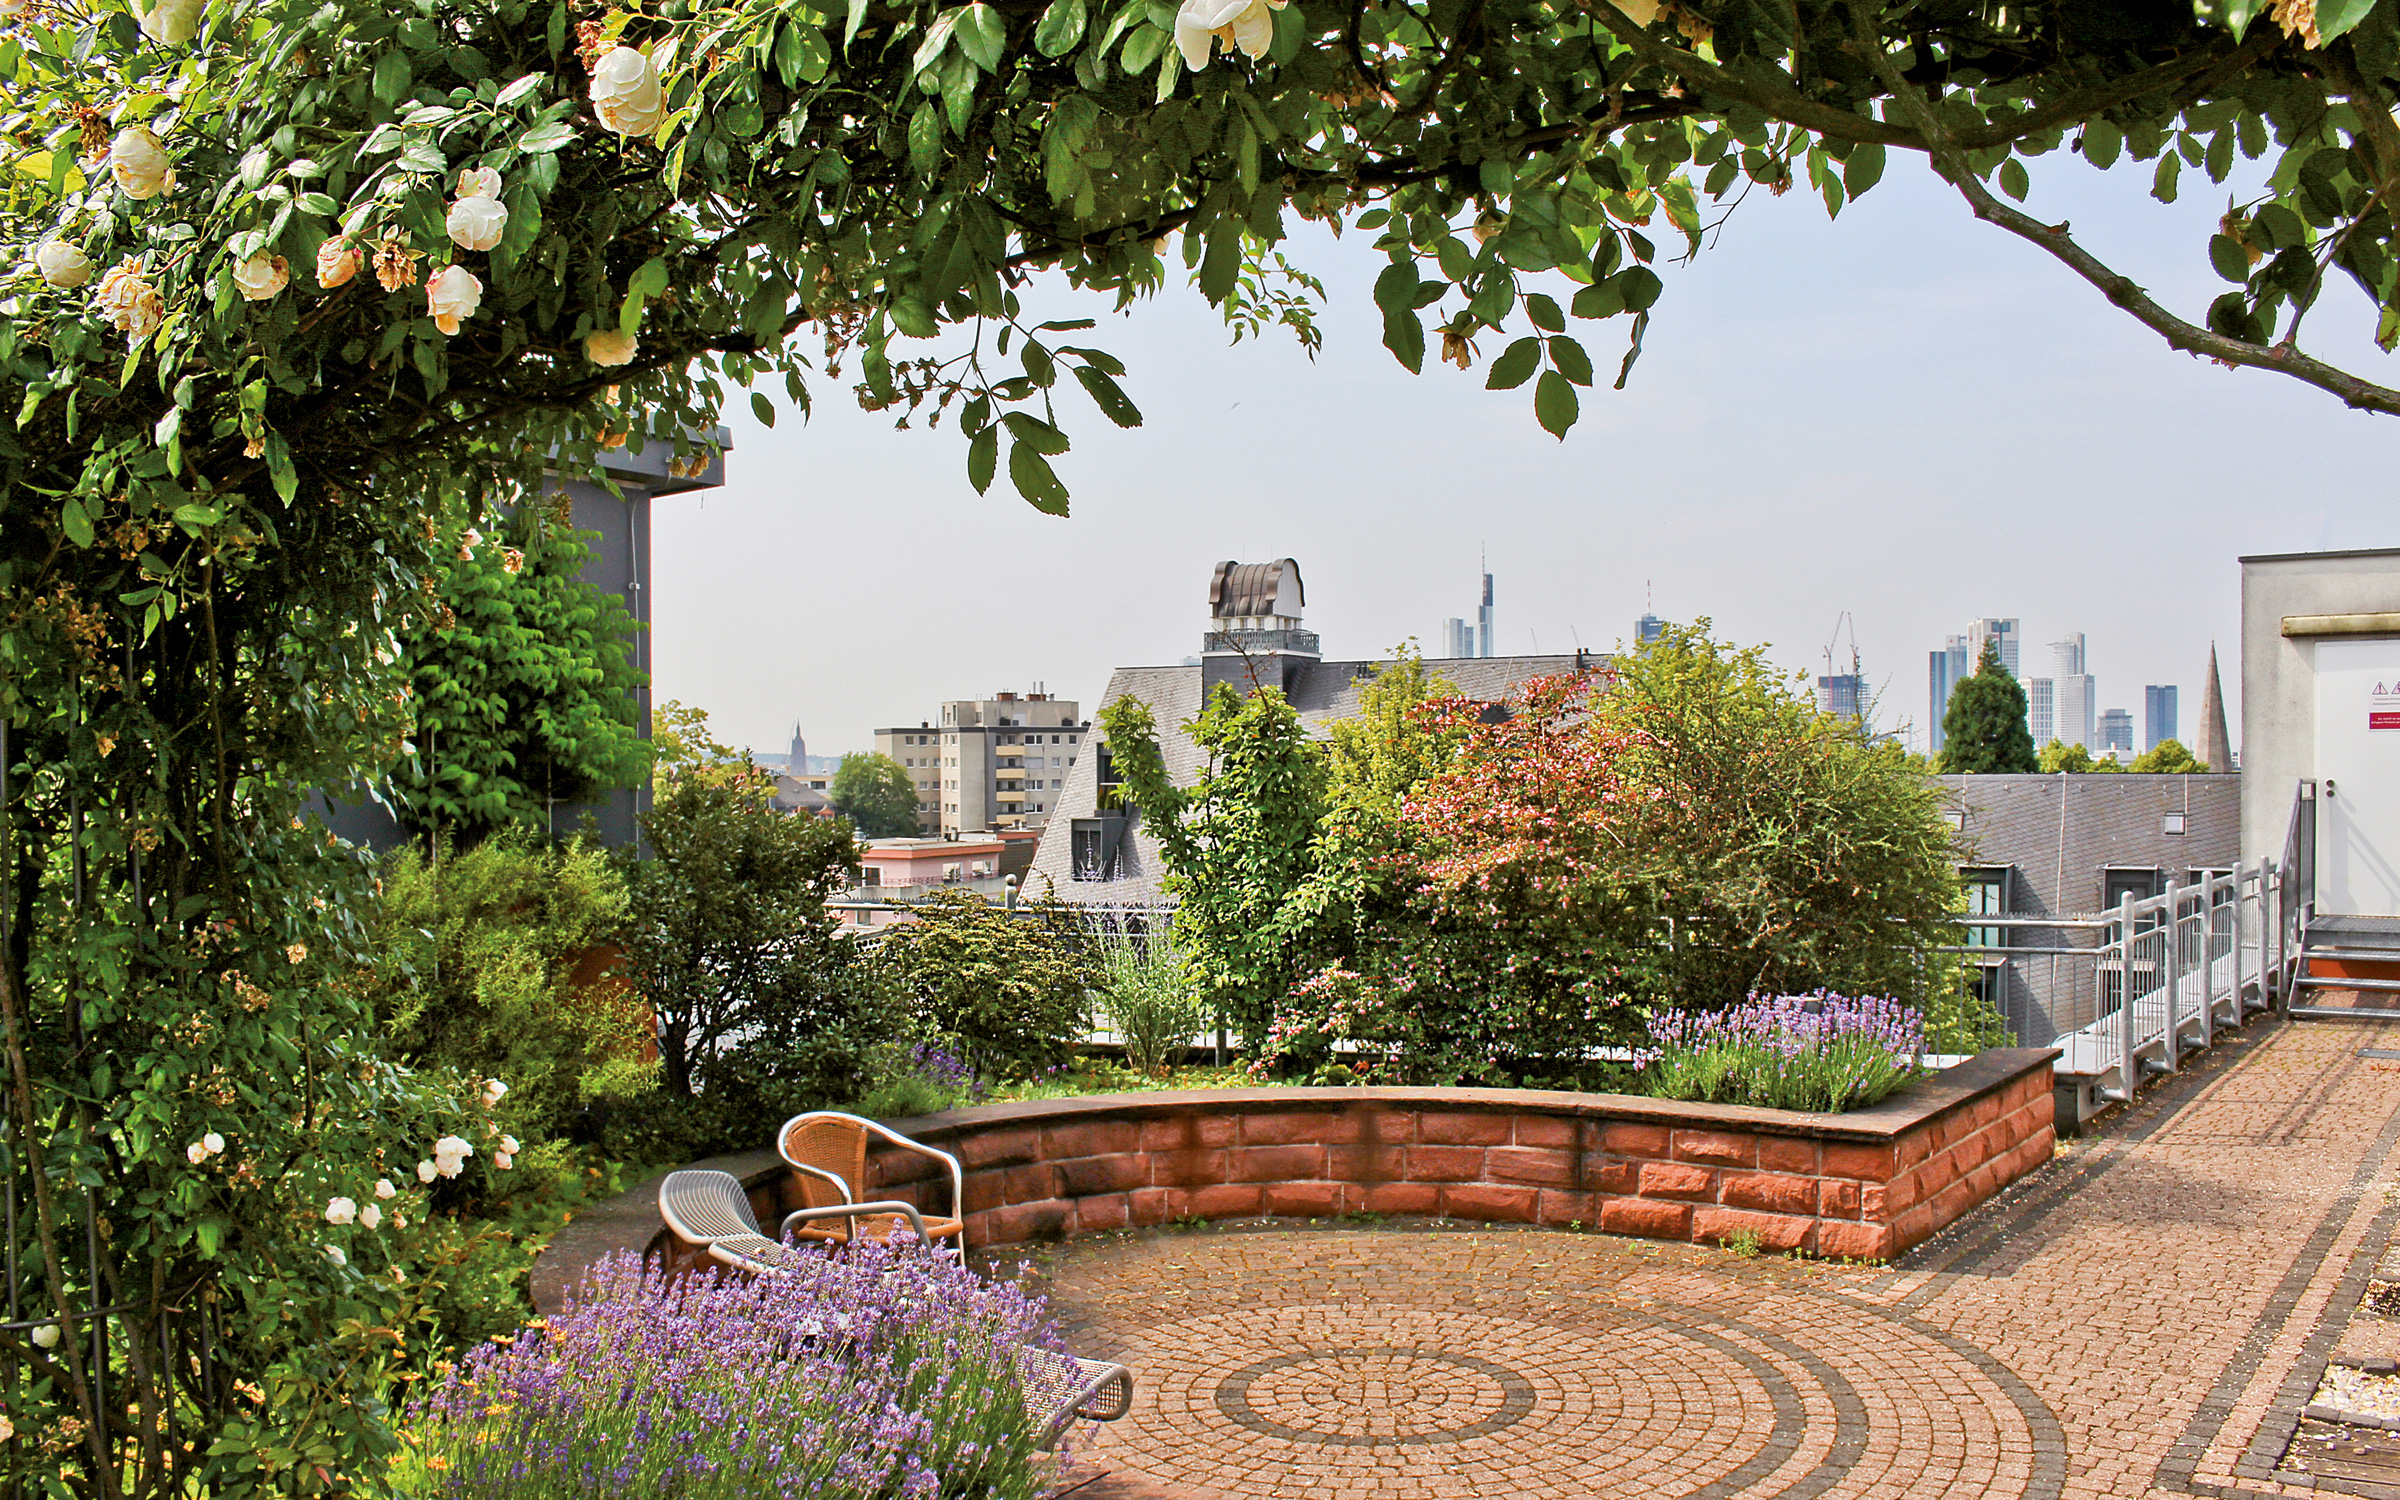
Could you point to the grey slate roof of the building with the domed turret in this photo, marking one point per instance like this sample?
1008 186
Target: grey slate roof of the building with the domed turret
1321 692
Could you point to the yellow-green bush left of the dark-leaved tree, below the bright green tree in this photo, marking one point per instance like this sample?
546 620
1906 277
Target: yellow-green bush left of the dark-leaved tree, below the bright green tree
503 964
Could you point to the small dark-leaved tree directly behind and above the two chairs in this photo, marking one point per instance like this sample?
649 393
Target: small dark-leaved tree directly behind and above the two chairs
728 913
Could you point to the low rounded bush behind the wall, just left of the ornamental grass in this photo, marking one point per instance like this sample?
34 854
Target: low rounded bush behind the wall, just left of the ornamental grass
1009 988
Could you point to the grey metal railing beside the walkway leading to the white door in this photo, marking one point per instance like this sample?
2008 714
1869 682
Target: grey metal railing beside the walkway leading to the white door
2132 990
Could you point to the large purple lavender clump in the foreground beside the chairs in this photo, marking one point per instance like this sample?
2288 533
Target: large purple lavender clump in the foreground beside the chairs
877 1374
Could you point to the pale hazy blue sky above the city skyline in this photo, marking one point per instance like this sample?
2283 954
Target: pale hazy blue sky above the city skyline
1902 414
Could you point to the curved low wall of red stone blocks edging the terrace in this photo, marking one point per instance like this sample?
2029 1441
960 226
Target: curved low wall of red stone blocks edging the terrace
1861 1184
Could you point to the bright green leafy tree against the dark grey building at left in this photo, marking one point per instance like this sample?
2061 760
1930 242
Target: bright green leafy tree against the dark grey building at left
524 688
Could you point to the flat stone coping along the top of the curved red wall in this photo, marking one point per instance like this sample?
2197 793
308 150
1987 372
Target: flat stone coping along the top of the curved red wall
1876 1124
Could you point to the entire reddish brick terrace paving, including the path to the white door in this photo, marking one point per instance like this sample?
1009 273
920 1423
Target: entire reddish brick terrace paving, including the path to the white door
2147 1316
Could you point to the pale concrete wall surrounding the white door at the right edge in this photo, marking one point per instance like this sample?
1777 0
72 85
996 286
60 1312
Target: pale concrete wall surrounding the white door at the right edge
2279 676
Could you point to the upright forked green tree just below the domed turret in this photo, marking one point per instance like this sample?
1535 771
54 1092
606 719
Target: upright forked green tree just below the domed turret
1240 841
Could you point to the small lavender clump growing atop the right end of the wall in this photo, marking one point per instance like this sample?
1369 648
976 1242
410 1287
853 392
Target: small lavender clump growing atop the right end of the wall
1787 1052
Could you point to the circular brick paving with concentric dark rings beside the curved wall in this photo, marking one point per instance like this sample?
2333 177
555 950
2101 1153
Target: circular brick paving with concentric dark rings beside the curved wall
1520 1362
